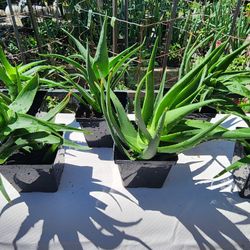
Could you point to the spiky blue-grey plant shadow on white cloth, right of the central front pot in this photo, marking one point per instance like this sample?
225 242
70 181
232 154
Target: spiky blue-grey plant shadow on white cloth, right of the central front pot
198 205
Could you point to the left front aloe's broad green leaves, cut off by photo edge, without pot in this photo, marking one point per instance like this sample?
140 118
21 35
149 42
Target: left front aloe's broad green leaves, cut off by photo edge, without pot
20 132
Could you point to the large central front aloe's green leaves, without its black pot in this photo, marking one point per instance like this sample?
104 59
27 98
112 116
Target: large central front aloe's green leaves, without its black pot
161 124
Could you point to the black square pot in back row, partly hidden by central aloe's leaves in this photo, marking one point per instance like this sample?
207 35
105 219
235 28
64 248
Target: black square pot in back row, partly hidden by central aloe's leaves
96 124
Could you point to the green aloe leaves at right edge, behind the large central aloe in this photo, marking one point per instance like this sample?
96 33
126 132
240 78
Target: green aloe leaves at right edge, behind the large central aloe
219 81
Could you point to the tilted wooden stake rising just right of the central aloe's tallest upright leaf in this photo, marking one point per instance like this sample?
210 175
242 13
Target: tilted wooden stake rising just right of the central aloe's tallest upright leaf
170 33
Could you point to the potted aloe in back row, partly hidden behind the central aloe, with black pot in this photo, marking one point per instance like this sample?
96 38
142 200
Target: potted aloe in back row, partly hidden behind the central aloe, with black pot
89 70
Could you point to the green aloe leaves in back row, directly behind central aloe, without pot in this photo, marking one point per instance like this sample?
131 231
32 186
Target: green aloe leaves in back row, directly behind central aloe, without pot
90 69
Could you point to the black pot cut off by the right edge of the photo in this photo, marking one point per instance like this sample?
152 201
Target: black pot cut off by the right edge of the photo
241 175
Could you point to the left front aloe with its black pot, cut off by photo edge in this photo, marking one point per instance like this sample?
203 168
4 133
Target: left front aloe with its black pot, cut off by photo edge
31 153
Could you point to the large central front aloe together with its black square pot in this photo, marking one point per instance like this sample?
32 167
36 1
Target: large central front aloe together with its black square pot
161 129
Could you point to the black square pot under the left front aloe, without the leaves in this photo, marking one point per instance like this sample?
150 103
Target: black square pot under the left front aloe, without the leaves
26 173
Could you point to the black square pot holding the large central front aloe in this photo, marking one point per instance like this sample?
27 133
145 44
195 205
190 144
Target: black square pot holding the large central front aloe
144 173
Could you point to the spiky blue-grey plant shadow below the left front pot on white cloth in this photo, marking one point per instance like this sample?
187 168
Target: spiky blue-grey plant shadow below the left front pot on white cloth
71 211
